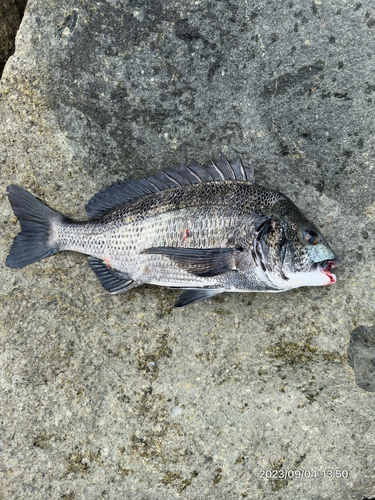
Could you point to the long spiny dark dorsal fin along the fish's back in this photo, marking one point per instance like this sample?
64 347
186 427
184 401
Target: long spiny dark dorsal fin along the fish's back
123 192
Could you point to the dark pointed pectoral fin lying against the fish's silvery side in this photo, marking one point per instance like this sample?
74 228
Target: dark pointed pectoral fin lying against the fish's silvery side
203 262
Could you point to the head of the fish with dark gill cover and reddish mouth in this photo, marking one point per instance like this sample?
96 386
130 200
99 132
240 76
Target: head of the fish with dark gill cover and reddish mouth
294 251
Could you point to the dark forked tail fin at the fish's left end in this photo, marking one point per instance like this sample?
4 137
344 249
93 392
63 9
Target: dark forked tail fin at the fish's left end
35 241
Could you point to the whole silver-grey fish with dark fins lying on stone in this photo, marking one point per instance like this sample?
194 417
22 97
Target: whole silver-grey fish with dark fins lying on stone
202 229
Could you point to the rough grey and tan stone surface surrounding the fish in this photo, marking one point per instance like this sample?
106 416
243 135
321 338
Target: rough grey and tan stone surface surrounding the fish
122 396
